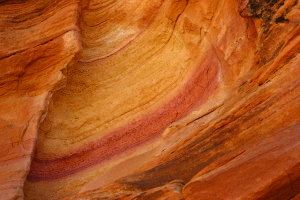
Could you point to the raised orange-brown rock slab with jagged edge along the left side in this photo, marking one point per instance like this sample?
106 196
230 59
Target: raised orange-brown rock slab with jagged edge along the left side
33 55
